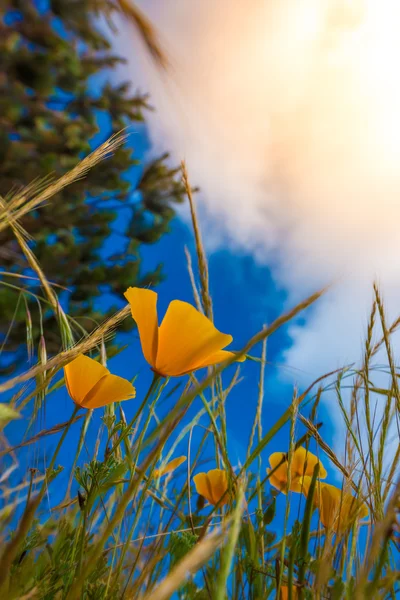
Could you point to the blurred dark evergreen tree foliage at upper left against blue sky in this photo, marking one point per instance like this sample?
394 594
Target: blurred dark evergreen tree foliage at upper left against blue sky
56 88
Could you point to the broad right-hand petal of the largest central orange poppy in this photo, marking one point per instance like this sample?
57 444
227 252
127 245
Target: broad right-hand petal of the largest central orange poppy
186 340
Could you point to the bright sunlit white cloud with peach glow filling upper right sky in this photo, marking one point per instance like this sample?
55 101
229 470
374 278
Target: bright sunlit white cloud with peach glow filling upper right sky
288 114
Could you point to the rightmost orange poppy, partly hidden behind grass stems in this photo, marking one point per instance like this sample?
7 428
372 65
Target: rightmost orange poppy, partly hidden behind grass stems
338 509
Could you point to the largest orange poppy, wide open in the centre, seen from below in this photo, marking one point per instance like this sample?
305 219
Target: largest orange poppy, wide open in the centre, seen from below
185 341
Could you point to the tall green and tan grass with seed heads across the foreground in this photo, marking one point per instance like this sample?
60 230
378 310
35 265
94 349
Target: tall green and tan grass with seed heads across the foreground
128 533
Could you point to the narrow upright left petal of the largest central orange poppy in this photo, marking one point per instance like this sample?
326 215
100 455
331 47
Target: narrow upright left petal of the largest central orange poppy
143 303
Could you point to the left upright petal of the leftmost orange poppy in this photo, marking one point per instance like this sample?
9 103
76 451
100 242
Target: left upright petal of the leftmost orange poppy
81 374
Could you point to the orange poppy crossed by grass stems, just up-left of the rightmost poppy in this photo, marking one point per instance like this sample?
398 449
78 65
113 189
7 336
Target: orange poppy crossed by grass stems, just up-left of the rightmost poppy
303 463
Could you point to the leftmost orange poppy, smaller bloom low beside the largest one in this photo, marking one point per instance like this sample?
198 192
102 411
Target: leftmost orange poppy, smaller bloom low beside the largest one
91 385
